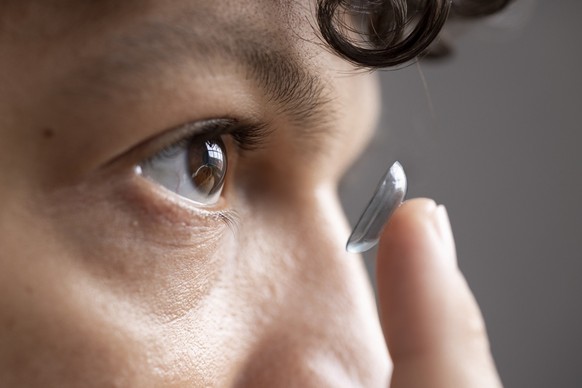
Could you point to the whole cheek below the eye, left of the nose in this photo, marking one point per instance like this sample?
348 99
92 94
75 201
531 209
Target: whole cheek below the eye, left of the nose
98 292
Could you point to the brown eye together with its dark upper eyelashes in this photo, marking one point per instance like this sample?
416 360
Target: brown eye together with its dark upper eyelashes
195 162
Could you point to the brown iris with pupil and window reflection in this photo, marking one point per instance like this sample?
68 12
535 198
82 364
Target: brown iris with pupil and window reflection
207 164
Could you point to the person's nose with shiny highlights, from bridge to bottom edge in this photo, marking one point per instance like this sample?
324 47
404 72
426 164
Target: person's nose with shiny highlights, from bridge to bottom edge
325 332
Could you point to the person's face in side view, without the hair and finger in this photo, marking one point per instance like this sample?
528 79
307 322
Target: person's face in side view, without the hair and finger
168 207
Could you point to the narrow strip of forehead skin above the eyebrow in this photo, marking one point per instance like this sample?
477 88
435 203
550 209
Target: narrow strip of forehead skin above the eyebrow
54 17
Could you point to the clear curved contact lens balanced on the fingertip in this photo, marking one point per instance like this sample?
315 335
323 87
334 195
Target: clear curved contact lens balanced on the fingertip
388 196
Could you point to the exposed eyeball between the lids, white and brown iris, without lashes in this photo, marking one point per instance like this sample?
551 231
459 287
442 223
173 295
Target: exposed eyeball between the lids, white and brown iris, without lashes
194 169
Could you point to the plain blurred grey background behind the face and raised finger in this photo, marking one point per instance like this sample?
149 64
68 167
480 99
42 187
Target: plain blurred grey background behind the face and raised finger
501 149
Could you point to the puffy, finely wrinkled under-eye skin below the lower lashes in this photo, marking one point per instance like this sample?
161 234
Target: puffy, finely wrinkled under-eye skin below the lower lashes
134 246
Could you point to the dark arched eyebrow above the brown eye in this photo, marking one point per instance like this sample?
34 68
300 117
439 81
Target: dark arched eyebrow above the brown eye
297 93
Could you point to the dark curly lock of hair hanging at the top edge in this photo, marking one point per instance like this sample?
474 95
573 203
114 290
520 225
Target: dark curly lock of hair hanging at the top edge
386 33
